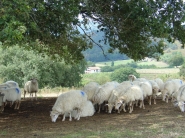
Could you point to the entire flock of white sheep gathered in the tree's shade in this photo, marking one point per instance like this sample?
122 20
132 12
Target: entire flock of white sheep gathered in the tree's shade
111 95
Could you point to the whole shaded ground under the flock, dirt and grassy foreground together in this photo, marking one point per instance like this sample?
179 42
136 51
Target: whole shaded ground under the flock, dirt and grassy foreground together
33 120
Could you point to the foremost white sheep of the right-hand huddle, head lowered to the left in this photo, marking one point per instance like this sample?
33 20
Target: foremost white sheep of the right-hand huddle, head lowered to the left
132 94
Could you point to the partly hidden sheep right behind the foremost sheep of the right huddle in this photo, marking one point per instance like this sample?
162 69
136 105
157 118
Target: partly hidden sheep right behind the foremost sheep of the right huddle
116 92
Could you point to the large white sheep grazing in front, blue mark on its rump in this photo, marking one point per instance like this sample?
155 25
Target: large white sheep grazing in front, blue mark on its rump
67 102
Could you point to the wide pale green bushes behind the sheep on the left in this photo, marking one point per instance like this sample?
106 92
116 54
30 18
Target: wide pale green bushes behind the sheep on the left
20 65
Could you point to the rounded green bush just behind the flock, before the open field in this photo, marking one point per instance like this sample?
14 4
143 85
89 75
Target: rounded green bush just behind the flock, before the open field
122 74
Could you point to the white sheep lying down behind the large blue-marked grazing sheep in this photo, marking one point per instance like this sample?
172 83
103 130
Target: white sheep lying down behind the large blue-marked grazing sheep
87 110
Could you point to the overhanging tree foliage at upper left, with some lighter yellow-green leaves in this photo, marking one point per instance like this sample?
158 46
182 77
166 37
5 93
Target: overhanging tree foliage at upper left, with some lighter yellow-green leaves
52 23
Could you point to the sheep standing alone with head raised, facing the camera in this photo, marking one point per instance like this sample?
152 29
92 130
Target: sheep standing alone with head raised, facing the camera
31 87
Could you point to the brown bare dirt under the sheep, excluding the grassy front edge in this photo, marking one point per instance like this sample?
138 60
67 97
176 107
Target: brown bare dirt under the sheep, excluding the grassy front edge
32 120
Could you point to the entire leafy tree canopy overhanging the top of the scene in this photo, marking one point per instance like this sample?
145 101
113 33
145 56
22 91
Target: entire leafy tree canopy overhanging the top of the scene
128 25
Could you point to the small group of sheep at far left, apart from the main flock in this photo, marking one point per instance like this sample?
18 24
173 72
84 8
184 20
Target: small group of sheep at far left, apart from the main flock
10 92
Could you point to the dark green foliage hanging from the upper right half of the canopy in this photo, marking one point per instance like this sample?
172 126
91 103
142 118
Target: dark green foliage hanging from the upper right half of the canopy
129 26
